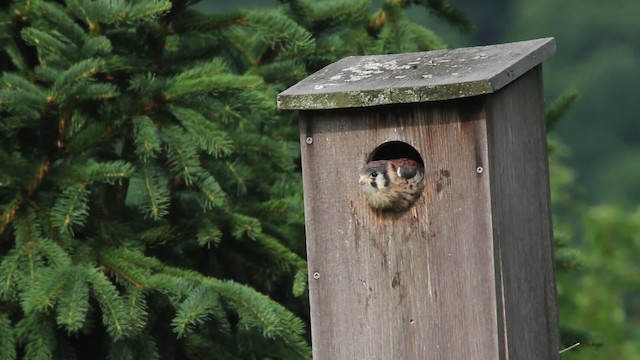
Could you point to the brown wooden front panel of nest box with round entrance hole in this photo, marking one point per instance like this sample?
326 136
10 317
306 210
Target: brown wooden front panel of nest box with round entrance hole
416 285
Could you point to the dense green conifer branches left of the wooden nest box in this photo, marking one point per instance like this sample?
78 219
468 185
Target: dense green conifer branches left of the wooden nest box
150 201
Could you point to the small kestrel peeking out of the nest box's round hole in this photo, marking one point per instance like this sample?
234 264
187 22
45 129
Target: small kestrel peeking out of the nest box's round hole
392 185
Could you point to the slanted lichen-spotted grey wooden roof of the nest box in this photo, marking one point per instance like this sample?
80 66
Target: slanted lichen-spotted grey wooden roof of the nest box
360 81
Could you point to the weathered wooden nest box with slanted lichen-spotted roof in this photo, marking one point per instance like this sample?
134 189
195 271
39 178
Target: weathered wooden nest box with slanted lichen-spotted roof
467 272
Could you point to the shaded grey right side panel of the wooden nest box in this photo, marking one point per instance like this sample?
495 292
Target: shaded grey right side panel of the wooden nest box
522 220
